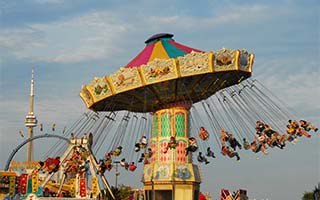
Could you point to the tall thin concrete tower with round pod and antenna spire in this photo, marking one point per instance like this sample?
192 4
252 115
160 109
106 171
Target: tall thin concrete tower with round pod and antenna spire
31 120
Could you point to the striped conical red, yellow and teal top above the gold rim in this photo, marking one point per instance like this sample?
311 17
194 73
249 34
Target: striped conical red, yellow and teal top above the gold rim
160 46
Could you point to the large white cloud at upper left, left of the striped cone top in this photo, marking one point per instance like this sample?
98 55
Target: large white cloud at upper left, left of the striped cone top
89 37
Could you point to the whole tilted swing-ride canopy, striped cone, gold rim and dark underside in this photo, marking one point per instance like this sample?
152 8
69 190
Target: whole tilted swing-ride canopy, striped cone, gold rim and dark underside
167 72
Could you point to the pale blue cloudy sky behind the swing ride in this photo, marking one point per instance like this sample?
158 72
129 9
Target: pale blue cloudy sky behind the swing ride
71 42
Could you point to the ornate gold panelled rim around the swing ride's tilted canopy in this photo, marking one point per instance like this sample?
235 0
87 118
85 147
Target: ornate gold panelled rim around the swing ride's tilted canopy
161 70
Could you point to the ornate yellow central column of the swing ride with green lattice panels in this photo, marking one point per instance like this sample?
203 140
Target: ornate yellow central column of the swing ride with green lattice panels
171 174
